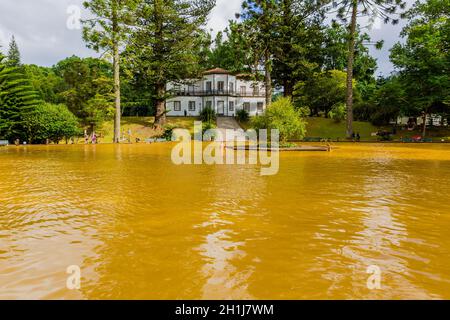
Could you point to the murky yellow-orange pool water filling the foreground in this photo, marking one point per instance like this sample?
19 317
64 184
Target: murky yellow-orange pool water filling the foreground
140 227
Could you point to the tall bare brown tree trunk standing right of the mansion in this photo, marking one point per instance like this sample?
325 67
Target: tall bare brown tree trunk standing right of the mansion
351 56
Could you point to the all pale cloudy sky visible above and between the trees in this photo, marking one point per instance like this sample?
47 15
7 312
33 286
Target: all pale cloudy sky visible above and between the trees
45 31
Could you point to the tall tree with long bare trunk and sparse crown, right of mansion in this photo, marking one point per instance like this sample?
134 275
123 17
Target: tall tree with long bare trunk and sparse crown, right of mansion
351 10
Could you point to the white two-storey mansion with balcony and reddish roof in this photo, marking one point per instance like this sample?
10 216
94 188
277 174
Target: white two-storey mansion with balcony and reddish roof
220 90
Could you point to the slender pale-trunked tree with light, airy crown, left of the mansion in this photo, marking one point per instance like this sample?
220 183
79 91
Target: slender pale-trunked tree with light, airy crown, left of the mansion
108 30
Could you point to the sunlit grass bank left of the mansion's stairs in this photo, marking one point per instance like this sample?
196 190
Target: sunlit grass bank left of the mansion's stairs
142 127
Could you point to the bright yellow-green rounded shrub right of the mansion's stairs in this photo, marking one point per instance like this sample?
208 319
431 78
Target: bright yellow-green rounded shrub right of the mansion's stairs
283 116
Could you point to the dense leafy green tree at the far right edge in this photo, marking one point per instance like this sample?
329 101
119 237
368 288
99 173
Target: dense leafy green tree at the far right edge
424 60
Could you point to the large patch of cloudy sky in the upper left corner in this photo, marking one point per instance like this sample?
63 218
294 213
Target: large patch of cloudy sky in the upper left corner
40 29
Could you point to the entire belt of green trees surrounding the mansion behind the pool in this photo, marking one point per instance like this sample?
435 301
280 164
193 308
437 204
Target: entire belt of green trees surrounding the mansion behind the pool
288 44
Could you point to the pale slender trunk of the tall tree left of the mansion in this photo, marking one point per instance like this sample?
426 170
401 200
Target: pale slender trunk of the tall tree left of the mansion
116 63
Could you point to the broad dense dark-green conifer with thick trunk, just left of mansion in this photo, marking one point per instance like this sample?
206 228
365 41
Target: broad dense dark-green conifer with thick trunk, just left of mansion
164 45
